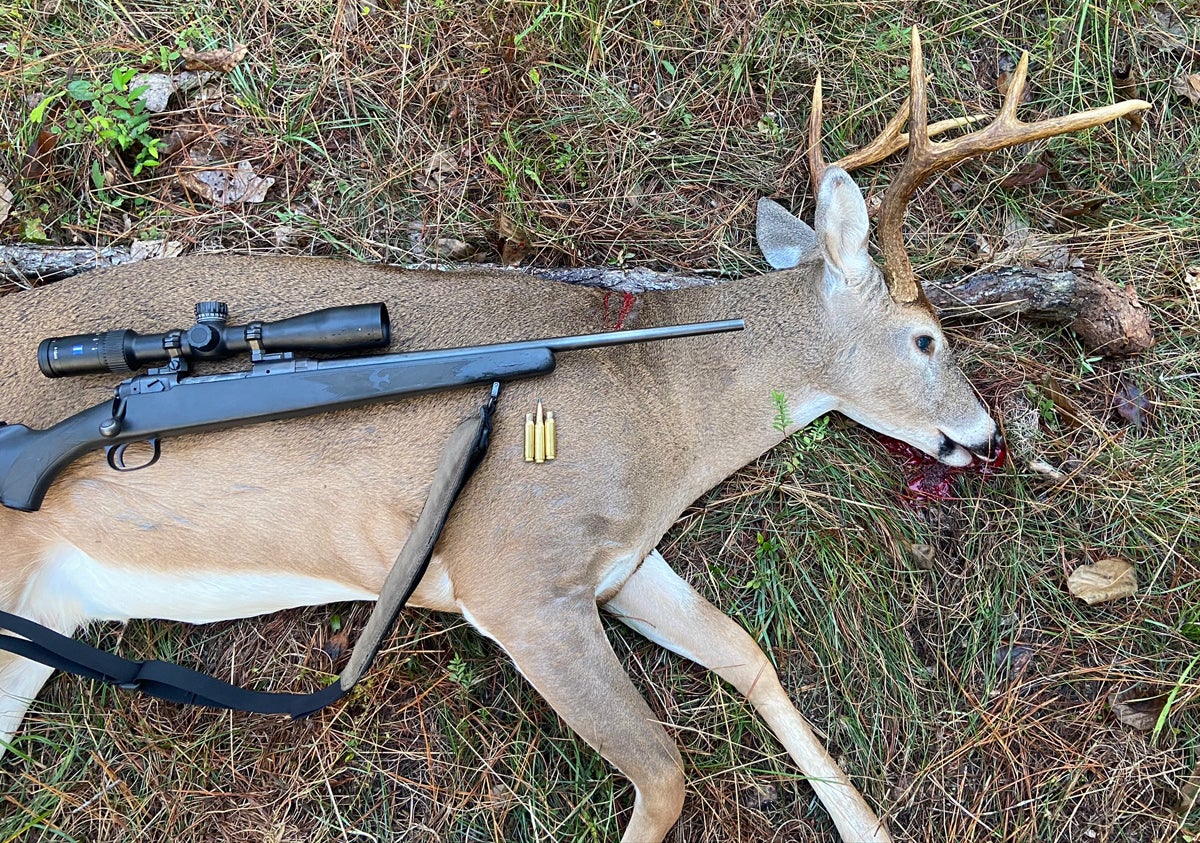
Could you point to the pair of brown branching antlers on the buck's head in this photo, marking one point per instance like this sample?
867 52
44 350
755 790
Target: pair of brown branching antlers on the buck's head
927 157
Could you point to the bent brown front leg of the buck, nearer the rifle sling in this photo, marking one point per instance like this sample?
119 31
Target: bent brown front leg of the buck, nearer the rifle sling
560 647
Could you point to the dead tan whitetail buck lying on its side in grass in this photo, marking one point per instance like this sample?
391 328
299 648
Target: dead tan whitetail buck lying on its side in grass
313 511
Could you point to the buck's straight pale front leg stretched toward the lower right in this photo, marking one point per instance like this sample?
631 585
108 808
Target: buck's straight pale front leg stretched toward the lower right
659 605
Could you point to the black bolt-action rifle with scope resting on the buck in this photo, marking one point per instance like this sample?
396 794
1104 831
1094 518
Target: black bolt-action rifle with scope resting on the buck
169 402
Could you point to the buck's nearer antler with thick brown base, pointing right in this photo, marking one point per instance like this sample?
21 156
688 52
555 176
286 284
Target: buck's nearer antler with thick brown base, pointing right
927 157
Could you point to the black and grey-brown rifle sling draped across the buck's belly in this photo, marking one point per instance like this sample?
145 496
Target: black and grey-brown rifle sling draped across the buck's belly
464 453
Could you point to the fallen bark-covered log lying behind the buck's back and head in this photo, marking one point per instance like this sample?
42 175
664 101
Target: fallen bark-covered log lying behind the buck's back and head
1108 319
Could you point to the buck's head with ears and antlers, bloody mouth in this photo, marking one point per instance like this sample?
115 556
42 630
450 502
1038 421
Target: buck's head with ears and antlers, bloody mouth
895 372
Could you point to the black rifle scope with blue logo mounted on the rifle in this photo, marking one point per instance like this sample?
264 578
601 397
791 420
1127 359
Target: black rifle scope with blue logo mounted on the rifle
333 330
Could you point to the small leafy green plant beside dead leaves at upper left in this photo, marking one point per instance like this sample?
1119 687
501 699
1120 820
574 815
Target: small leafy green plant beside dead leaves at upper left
111 113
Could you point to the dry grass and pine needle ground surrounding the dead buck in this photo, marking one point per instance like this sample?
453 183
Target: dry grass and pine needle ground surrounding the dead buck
968 698
